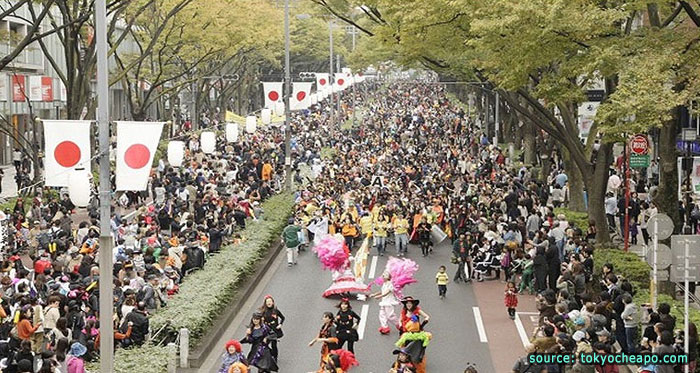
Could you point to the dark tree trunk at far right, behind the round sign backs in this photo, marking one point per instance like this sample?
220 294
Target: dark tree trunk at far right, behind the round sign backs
666 198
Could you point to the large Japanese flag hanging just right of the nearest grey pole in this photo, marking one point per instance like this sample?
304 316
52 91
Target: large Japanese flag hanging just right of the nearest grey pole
136 145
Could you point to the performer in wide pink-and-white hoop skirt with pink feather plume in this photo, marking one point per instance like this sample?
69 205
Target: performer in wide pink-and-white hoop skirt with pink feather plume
335 256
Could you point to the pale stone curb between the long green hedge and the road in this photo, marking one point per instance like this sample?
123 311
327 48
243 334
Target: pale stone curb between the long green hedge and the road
218 327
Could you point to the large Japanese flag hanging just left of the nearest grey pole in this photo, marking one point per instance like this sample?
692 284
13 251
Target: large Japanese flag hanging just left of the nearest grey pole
67 144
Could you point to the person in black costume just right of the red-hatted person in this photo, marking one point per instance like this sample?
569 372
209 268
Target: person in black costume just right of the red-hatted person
259 335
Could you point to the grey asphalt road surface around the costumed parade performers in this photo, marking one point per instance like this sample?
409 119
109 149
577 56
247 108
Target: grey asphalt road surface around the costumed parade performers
297 291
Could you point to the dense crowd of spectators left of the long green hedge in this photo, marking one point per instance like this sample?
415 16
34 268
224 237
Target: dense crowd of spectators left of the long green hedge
49 273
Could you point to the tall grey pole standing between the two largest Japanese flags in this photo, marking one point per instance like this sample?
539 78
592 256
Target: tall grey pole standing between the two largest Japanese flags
106 303
